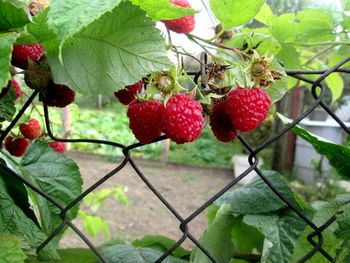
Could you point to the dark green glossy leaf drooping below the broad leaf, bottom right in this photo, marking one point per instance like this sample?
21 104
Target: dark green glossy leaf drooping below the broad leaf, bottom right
281 233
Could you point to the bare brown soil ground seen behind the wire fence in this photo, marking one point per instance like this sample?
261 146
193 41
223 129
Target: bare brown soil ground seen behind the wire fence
186 188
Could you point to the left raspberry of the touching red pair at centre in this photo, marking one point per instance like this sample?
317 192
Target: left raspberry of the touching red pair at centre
145 120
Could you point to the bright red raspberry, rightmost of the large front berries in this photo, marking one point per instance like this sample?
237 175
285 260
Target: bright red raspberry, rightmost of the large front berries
247 108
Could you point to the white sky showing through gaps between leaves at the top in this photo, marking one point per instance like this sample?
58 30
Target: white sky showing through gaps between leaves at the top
205 25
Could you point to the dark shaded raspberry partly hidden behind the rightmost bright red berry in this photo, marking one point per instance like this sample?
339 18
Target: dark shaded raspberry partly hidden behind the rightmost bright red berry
220 124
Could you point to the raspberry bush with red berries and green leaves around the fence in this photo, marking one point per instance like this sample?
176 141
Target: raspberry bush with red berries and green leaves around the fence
115 47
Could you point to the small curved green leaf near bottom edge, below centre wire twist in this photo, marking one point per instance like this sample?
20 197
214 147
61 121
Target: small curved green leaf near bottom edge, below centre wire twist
162 244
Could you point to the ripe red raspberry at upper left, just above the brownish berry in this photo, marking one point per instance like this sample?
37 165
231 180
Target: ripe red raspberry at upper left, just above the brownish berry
21 54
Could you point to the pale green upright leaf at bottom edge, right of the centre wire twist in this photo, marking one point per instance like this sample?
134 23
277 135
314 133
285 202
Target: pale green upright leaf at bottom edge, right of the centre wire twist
217 238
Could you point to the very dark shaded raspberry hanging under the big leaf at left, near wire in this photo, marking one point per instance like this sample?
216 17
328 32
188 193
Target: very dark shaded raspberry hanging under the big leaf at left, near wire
57 95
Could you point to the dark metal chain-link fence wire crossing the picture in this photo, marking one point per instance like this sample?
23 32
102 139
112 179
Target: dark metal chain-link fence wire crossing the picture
315 238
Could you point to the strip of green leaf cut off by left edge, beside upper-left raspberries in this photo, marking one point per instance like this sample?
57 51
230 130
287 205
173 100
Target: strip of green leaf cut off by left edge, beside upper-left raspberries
6 42
